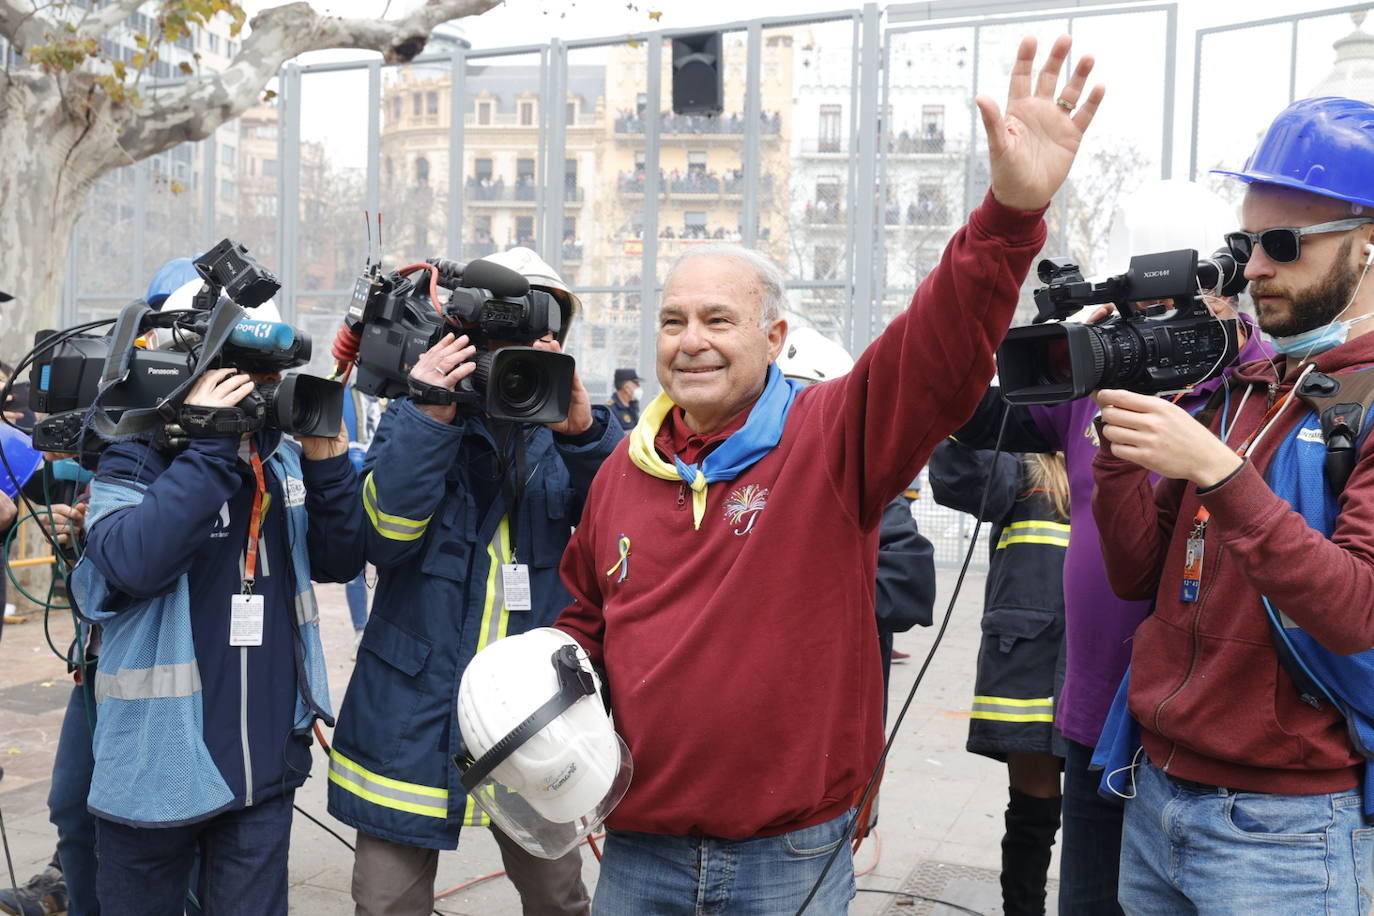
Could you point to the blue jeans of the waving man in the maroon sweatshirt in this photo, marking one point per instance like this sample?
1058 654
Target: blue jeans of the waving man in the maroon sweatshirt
656 875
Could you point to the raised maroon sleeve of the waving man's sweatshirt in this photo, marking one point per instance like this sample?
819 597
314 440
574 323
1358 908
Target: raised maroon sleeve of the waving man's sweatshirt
928 370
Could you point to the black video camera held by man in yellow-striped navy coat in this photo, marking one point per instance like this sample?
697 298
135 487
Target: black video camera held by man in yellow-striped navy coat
396 318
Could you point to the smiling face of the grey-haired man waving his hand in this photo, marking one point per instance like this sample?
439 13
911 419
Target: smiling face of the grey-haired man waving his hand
712 354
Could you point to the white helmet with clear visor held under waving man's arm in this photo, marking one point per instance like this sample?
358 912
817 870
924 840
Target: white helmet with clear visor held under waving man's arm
548 764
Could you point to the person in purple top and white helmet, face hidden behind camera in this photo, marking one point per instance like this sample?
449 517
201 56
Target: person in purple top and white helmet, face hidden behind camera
1099 624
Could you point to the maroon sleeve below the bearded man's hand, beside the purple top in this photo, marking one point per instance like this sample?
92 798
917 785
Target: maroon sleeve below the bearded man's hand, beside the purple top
1136 523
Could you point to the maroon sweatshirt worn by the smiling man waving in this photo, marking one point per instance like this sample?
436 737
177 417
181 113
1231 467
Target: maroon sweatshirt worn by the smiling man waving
741 657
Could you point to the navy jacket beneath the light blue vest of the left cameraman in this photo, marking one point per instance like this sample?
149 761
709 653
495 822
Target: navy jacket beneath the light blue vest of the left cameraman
193 523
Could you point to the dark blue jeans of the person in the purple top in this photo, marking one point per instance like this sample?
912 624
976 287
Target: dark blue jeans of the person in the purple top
1090 841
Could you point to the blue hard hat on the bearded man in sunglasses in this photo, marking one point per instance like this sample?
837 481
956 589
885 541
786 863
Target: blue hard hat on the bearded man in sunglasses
1324 146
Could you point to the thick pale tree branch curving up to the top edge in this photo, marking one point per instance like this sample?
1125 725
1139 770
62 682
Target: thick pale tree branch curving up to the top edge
193 111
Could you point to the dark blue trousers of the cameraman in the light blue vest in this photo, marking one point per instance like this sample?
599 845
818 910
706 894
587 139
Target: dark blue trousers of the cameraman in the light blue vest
145 871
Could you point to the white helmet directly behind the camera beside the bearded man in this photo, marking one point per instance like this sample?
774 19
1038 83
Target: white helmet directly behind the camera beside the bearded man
1167 216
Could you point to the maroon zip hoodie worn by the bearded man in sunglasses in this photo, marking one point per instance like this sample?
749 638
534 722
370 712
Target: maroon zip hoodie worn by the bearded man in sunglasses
1214 702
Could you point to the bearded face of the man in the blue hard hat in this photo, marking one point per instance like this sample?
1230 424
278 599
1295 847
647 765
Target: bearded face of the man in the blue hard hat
1309 293
